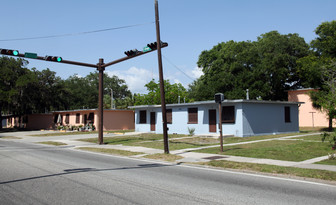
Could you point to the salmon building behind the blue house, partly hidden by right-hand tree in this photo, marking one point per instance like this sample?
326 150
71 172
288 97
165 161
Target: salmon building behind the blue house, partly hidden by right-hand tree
308 115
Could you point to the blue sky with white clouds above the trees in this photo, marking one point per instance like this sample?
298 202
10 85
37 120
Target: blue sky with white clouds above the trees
189 26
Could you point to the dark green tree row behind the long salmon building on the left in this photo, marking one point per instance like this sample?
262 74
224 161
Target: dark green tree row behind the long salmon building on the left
25 91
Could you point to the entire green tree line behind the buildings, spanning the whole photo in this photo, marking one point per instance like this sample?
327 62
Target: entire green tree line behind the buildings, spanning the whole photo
268 67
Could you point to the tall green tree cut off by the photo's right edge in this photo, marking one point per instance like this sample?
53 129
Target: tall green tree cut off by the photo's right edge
319 69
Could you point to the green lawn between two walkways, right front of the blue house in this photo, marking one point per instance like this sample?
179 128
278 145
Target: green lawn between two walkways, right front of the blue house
288 150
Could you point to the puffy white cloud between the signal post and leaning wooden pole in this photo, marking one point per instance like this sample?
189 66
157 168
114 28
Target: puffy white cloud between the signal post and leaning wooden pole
135 78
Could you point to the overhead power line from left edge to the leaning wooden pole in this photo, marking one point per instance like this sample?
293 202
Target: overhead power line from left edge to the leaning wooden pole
75 34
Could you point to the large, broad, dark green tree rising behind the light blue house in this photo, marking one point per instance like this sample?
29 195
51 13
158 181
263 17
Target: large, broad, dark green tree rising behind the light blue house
267 67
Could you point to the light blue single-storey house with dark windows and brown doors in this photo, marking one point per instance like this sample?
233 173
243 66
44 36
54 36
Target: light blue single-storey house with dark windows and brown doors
240 118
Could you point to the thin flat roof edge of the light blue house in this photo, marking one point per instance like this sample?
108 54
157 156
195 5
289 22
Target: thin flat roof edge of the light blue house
213 102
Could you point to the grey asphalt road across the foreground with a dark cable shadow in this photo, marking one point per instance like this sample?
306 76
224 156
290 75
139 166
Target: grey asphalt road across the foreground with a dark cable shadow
38 174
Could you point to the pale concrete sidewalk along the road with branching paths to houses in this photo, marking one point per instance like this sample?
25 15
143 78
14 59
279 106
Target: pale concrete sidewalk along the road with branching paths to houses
187 154
